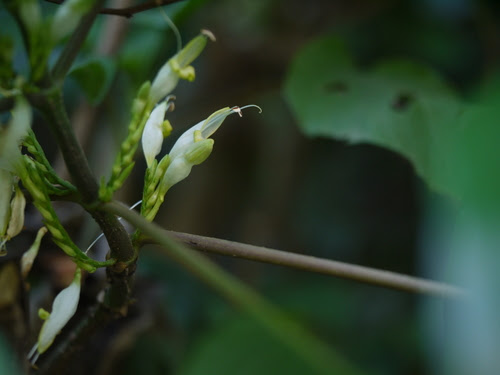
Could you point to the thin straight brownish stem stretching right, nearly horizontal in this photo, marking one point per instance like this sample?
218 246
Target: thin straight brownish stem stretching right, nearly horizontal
309 263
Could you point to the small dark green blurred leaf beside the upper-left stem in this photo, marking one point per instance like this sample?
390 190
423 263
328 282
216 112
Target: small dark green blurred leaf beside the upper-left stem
95 77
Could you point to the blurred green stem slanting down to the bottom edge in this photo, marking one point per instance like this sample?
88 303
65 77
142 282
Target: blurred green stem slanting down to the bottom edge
321 358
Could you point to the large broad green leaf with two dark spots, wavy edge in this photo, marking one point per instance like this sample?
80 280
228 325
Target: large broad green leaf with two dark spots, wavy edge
397 104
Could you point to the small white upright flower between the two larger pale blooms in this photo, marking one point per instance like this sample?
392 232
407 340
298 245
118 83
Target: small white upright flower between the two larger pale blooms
154 132
